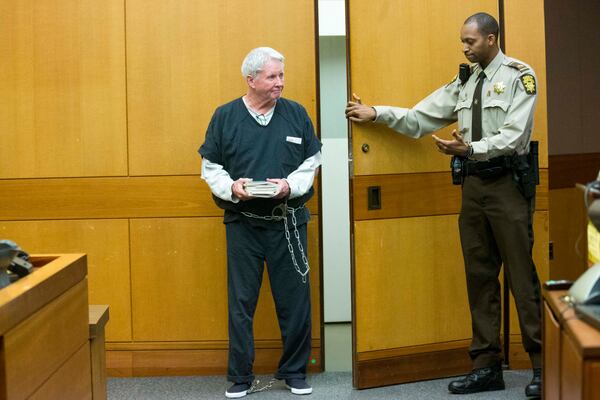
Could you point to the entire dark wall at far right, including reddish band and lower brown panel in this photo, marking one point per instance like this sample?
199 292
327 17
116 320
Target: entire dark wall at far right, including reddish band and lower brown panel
573 139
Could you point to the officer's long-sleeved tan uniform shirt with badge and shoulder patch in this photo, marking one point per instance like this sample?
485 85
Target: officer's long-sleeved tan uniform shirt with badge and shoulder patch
508 103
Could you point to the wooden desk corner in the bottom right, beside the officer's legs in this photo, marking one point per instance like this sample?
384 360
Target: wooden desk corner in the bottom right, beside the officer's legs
571 352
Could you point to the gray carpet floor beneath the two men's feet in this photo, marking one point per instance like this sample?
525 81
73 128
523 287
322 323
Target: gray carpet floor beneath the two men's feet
326 386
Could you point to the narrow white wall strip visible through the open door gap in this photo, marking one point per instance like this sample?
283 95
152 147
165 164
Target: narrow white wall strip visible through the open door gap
335 180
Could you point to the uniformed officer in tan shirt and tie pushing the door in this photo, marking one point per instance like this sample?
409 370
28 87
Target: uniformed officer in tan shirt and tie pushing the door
494 107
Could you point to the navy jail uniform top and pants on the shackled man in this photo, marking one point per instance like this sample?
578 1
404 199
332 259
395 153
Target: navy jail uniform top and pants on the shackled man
246 149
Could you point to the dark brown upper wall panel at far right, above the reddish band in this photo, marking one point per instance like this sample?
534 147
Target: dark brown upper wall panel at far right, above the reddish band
573 79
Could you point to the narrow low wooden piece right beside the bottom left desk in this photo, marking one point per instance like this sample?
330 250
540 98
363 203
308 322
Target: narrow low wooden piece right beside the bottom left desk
98 318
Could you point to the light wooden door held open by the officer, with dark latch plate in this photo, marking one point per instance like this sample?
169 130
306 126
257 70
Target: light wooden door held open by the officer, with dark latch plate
410 309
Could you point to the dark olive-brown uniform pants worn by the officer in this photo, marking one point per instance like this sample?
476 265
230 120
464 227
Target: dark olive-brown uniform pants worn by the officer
496 228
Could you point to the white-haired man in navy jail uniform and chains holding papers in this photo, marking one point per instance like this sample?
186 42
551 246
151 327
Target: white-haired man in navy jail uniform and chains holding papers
259 158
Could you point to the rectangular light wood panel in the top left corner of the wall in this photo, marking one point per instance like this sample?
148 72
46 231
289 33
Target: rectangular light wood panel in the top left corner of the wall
62 79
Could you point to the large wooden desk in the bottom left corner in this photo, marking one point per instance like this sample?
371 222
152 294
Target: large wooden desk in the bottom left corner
44 348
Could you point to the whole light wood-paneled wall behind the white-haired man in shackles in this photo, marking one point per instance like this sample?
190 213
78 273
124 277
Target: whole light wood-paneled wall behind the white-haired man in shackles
103 107
